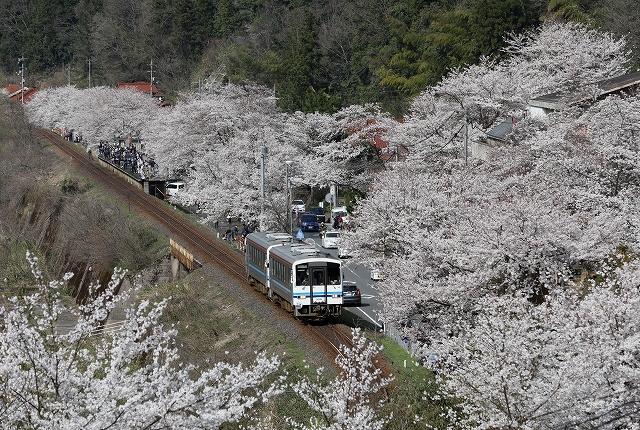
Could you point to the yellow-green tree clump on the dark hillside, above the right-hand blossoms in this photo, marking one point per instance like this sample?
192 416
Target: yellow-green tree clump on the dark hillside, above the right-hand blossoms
439 38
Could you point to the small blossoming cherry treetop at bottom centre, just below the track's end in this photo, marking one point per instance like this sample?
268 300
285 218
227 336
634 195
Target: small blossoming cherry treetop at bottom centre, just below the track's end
352 399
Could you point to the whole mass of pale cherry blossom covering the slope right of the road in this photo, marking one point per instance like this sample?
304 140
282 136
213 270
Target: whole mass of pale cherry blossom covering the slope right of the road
482 249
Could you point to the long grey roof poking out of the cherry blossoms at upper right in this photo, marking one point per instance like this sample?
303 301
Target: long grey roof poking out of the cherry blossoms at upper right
564 98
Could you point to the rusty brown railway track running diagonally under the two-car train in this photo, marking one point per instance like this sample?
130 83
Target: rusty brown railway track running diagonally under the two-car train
191 235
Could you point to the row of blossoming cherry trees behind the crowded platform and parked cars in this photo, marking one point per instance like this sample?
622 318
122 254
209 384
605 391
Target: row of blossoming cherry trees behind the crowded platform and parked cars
214 142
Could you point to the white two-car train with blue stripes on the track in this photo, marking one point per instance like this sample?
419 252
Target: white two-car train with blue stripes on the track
295 274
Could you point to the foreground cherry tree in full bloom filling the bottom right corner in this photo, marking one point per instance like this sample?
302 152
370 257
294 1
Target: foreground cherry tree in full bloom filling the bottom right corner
570 362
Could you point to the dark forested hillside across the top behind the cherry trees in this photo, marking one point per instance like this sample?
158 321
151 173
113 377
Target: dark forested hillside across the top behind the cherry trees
318 55
